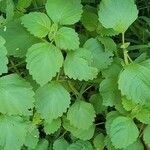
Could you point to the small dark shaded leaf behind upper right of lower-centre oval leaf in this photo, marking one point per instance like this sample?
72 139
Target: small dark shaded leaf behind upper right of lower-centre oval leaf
97 102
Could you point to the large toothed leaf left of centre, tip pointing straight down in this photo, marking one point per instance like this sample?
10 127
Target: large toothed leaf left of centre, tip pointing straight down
43 61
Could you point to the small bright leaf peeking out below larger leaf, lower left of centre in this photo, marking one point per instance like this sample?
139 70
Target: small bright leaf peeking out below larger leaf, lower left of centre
53 126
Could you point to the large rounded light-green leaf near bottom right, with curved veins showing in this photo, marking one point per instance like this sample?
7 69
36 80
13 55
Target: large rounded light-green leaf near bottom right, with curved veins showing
123 129
